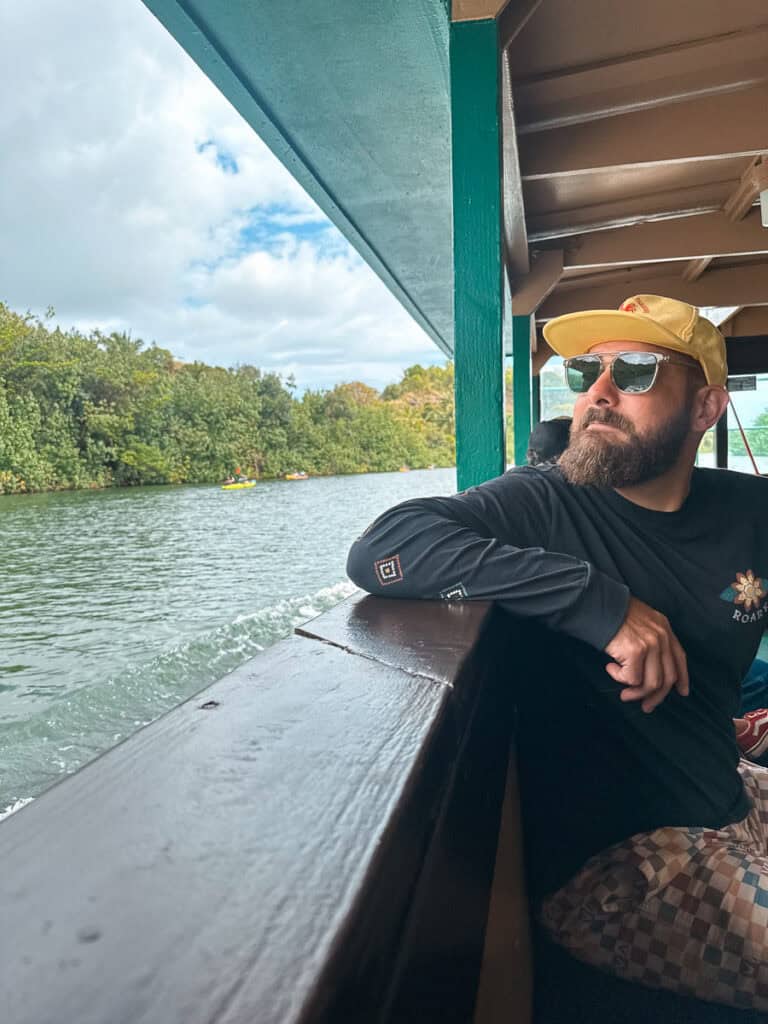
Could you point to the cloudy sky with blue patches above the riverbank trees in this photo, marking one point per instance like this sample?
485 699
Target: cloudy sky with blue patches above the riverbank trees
134 198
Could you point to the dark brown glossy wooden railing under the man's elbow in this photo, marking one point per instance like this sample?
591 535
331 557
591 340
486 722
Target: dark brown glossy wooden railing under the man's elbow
312 839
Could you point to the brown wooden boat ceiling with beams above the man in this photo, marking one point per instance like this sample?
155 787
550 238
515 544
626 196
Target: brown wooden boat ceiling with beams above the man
641 134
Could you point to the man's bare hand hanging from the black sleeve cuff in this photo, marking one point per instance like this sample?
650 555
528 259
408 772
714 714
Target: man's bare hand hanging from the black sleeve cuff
648 657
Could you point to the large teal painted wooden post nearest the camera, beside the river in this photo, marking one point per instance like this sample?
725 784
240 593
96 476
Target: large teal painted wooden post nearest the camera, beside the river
479 282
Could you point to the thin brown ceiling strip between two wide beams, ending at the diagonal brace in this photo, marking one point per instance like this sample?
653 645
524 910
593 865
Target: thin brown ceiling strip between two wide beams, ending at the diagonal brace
608 217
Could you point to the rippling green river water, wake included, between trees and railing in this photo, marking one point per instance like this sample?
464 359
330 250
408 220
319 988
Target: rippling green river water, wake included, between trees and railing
117 606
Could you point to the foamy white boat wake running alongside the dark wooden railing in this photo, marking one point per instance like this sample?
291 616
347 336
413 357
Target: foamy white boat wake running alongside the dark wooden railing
96 718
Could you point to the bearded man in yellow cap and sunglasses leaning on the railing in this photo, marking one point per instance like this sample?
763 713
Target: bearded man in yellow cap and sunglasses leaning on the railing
643 582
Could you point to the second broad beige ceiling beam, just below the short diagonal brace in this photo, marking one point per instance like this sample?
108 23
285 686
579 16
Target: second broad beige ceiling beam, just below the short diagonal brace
707 236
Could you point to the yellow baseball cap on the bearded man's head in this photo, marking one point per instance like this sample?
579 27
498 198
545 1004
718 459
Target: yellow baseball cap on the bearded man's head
652 319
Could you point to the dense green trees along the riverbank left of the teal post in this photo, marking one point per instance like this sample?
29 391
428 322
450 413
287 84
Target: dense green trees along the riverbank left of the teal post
107 410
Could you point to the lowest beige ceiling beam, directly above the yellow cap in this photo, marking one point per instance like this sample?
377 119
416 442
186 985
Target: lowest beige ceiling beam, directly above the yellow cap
746 285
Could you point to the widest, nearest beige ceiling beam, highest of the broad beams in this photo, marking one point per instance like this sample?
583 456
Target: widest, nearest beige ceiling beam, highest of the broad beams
731 125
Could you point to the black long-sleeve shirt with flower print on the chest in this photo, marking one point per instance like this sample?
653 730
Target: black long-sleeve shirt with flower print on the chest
566 559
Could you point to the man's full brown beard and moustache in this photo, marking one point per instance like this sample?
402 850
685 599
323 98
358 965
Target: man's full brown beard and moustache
604 462
